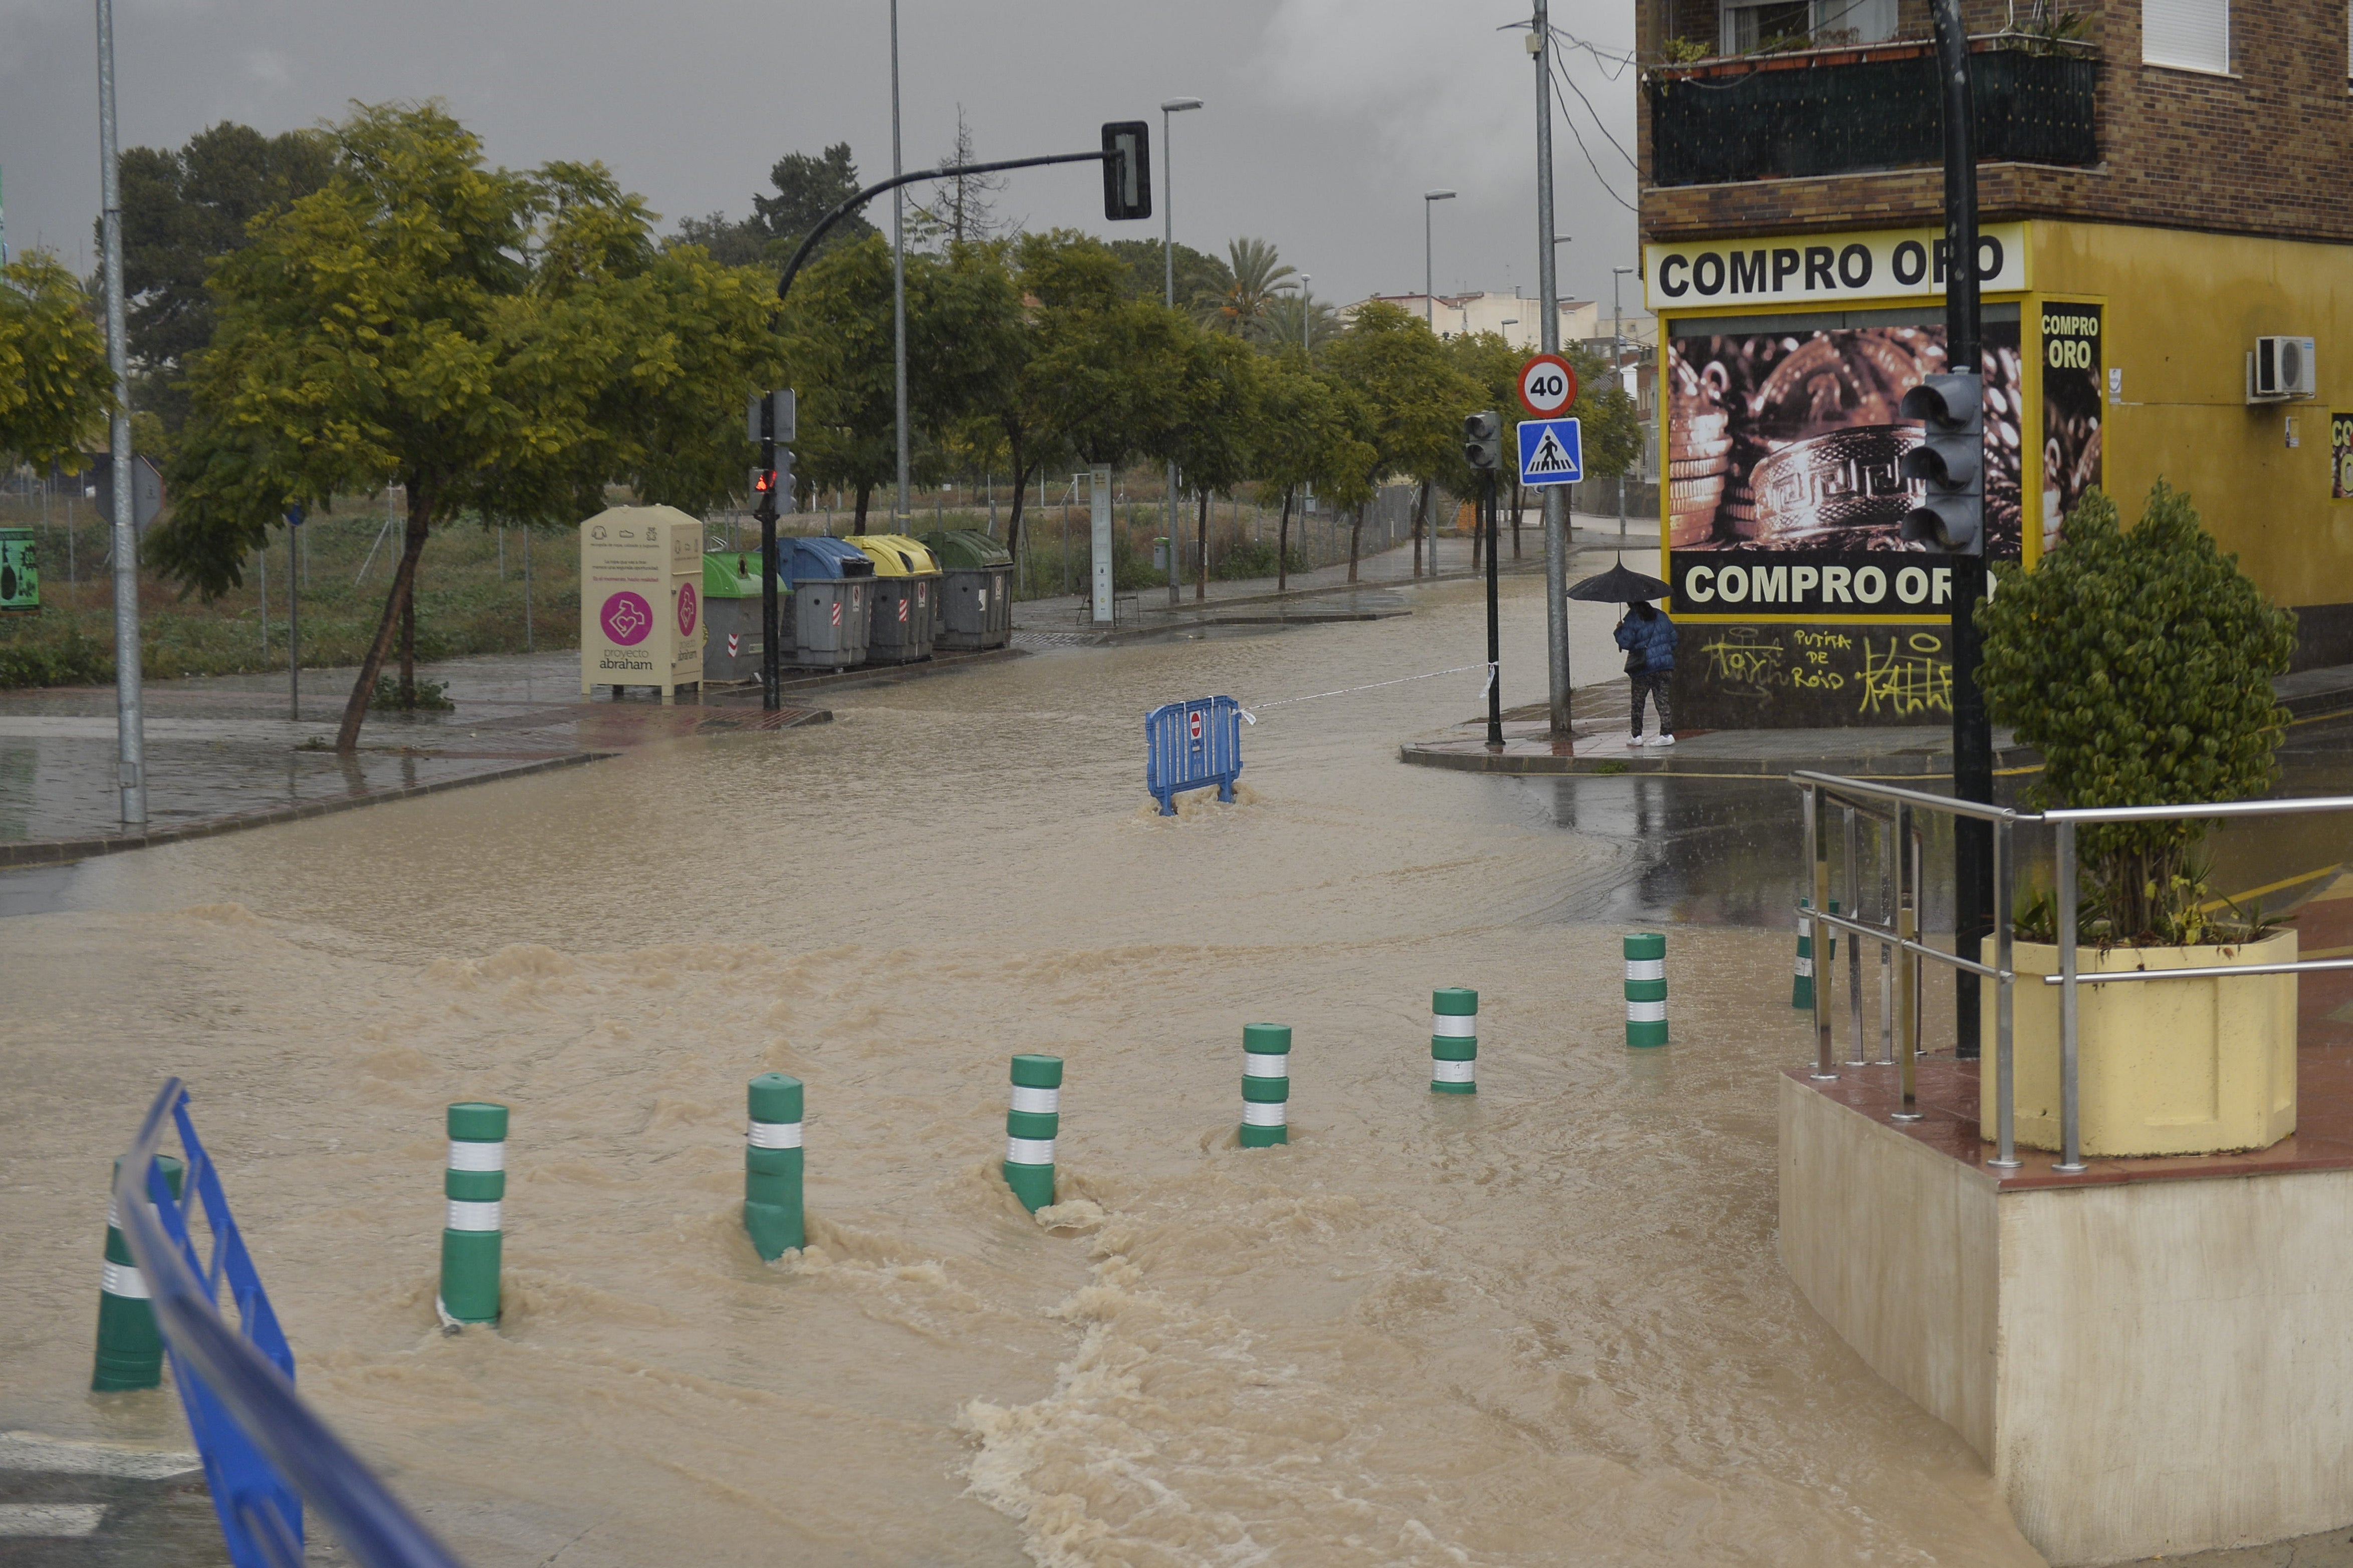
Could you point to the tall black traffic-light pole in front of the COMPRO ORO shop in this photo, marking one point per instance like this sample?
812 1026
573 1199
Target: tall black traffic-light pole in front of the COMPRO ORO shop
1973 737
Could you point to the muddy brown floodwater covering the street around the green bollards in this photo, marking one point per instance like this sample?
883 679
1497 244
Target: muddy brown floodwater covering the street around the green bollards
1538 1327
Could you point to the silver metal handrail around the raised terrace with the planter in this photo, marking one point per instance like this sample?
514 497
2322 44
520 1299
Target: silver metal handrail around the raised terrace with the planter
1900 934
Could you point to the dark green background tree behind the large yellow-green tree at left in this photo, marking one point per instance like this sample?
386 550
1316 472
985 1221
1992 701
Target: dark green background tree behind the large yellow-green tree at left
182 210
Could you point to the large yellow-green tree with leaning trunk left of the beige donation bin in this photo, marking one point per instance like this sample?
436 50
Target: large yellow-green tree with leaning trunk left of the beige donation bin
484 340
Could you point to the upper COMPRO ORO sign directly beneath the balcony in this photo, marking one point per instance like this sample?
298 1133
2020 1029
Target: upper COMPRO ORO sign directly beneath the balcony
1825 269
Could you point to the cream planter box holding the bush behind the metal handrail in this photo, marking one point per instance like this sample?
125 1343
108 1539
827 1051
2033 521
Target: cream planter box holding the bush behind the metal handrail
2166 1066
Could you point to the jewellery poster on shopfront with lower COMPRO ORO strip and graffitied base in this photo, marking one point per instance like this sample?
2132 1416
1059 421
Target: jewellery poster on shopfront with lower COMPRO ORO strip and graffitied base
1785 500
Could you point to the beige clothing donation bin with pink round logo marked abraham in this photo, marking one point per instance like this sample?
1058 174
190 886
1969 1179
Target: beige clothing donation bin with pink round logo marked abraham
641 601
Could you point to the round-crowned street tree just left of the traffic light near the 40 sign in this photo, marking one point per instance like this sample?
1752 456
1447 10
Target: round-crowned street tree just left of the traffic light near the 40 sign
1413 398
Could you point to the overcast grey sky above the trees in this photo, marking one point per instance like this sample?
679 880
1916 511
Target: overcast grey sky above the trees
1326 119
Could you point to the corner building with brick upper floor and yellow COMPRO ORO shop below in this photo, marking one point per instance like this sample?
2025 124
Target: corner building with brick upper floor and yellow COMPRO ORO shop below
2166 194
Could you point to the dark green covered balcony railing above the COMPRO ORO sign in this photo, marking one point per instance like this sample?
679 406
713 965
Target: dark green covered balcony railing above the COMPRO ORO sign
1851 112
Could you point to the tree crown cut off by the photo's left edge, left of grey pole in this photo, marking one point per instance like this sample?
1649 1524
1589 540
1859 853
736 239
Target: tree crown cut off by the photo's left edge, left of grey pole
55 389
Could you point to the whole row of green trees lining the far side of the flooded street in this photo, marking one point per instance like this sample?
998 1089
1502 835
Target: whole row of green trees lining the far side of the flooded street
373 307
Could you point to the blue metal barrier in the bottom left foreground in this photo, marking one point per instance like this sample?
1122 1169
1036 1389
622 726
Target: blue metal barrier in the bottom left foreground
265 1449
